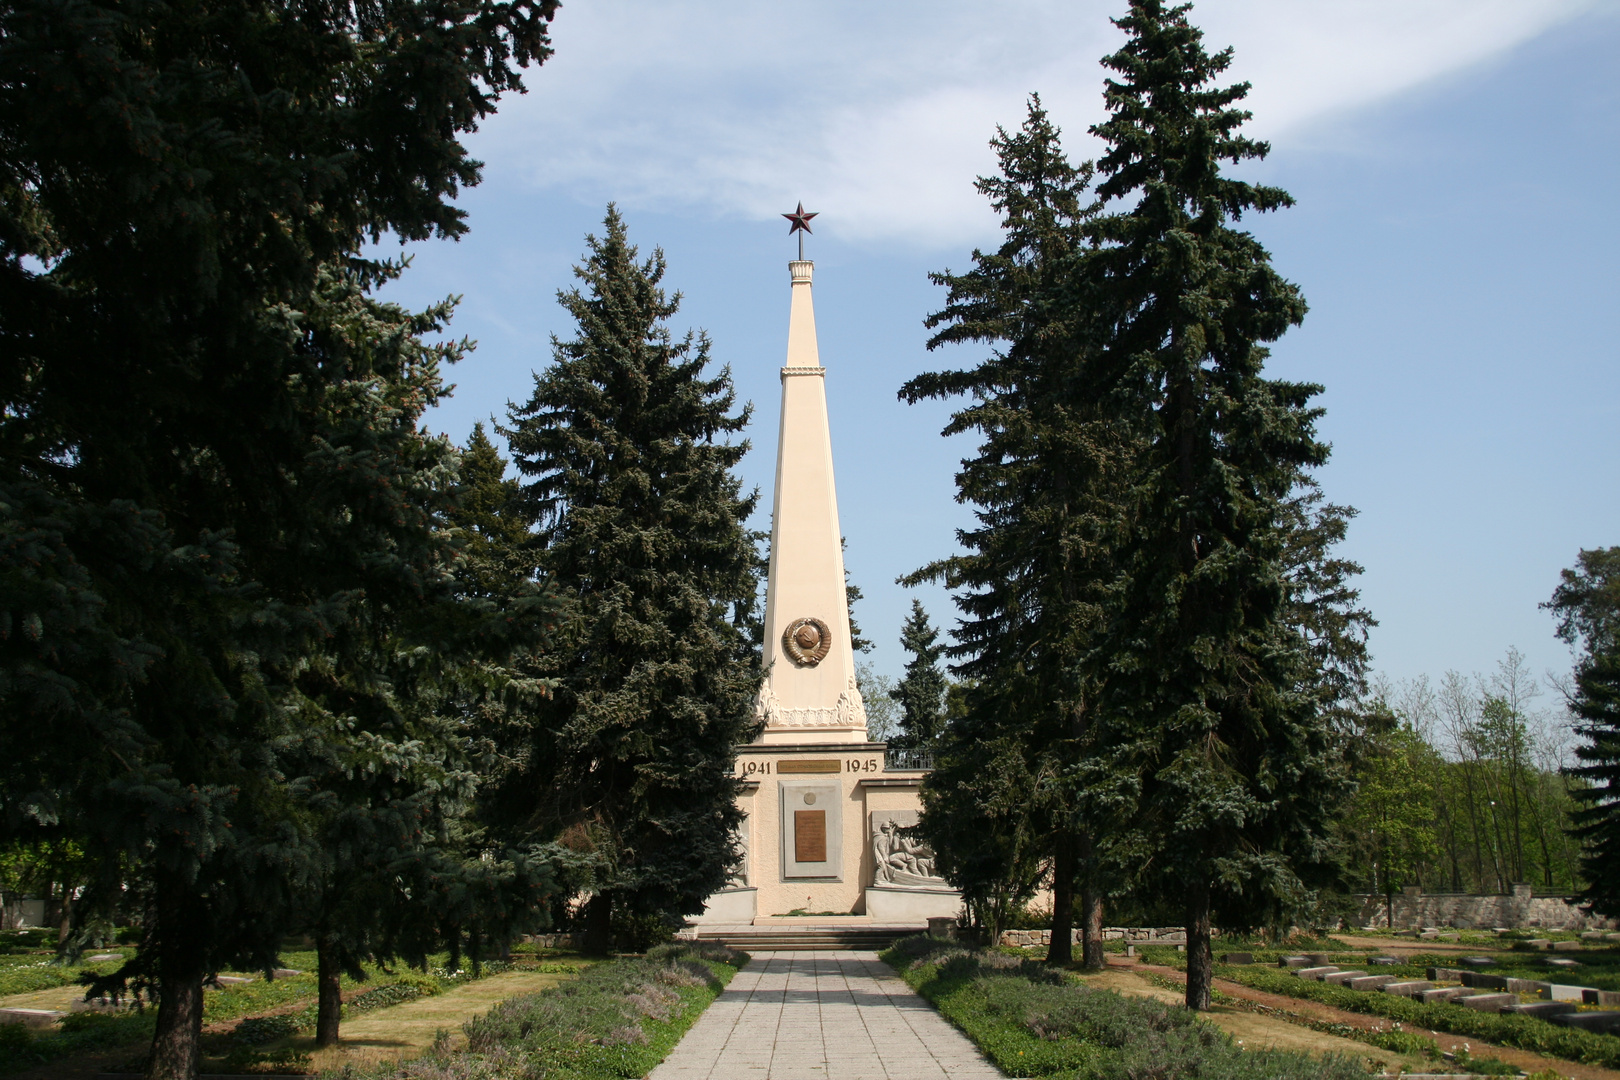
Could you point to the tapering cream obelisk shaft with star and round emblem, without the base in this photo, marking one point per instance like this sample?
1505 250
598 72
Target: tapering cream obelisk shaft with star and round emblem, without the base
809 694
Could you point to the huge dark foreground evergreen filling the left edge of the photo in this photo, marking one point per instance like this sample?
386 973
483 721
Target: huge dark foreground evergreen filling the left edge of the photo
205 483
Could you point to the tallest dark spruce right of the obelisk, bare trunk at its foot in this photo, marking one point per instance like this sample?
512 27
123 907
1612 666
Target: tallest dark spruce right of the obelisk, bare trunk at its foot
1214 695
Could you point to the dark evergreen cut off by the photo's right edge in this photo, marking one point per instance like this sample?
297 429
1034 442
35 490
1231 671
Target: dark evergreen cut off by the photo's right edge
1588 608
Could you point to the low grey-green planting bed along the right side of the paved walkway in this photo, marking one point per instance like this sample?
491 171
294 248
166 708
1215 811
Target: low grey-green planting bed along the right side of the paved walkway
1033 1021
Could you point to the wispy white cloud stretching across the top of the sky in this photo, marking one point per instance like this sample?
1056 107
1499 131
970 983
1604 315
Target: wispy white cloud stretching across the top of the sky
880 113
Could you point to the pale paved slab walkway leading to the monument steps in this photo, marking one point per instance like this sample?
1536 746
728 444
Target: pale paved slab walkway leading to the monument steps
822 1016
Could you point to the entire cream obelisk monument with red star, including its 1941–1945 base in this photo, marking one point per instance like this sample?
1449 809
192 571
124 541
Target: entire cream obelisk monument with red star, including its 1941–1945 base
822 809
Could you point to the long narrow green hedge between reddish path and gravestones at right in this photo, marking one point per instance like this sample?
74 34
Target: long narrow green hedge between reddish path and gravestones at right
1530 1034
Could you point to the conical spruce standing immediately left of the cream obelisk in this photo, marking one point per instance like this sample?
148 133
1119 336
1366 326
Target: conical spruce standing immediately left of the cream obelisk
628 454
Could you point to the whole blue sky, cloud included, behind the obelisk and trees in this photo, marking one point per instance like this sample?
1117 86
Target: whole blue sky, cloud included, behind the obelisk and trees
1456 164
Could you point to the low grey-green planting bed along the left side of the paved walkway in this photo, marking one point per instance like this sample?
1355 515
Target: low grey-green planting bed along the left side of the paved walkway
618 1019
